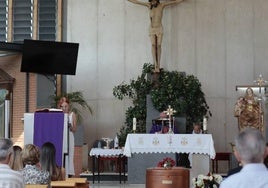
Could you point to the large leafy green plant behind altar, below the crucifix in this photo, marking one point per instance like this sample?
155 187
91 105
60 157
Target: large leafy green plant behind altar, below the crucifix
183 92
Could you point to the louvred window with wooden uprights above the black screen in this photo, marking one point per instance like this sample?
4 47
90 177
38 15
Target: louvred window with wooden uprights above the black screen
28 22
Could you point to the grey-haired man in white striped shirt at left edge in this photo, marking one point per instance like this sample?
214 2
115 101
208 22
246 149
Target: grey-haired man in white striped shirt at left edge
8 178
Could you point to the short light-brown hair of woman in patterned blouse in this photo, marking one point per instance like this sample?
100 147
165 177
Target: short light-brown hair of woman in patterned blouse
30 154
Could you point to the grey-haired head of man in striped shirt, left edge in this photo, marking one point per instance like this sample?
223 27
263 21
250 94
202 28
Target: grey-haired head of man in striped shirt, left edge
5 150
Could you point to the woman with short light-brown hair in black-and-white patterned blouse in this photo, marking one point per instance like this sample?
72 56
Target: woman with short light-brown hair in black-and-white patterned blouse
32 172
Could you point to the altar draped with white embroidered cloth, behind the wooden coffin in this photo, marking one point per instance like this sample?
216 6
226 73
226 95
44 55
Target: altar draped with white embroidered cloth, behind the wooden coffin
146 150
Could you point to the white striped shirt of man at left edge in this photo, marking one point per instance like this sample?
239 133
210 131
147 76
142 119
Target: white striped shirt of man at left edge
10 178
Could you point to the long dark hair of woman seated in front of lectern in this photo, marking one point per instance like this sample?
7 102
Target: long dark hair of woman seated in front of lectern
48 159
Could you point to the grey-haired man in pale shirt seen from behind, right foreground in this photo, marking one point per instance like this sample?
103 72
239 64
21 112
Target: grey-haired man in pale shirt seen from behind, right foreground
250 150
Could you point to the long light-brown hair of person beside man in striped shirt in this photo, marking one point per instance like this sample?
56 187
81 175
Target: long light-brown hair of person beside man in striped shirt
16 162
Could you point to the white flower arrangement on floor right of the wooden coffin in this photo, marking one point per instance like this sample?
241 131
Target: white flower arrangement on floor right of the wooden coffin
208 181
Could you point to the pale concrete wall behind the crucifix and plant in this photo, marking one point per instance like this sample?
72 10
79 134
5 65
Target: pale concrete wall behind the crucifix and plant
222 42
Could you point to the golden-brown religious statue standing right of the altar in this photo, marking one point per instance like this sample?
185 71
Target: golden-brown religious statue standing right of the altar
248 111
